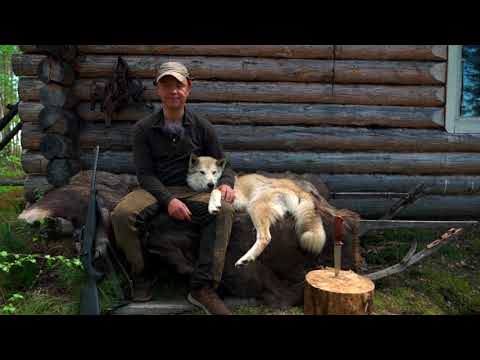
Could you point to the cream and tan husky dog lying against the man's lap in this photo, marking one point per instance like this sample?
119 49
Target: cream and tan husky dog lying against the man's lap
265 199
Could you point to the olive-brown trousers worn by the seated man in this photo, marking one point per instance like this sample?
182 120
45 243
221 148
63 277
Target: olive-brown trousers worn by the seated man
135 210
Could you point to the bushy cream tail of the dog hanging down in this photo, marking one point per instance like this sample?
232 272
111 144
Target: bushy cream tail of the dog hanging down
309 225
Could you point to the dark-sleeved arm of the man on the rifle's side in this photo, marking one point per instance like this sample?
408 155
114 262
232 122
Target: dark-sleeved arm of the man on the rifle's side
147 179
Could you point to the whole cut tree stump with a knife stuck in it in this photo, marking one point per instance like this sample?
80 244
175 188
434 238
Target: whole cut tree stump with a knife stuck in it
346 294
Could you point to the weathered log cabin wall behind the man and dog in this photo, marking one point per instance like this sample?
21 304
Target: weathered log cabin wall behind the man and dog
362 118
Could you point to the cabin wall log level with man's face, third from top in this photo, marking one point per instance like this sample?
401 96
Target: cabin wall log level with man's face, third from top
222 91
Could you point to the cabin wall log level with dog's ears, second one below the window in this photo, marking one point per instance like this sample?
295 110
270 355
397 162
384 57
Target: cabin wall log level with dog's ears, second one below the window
317 162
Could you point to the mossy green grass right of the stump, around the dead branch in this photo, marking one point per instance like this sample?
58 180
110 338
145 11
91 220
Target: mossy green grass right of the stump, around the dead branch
445 283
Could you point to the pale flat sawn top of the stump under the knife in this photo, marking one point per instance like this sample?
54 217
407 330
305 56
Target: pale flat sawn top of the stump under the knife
347 282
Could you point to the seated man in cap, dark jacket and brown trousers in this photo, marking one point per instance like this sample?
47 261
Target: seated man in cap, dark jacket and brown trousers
162 145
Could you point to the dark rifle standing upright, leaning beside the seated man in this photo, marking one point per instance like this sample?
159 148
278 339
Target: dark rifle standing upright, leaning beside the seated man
89 300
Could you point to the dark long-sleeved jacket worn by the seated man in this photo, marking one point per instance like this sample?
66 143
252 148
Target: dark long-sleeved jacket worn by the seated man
162 160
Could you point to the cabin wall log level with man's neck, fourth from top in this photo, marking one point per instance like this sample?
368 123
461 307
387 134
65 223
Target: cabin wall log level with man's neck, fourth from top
275 114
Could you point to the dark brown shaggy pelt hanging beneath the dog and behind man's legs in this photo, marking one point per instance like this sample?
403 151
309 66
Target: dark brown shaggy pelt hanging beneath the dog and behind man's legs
277 276
